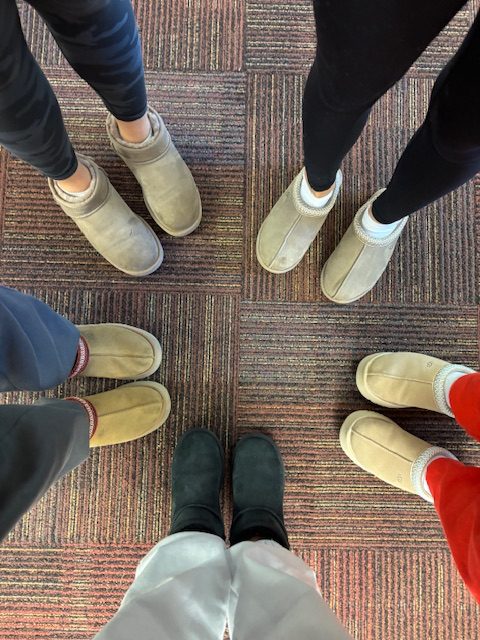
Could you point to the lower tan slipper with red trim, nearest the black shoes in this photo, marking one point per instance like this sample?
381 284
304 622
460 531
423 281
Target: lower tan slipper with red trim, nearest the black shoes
126 413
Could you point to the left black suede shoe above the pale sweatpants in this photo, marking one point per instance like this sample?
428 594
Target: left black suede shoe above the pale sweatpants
197 480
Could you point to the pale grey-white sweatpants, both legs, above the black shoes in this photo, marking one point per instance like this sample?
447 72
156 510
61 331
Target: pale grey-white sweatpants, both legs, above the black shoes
185 585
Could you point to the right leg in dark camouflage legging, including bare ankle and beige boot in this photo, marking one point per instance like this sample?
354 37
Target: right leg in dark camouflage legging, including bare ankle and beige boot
100 40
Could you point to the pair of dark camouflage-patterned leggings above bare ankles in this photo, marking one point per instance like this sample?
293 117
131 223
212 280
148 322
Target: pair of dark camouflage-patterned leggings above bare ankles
100 40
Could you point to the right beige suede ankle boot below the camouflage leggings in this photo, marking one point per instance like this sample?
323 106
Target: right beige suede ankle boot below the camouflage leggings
169 190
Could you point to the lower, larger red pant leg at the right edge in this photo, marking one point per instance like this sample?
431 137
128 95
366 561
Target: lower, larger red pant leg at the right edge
456 493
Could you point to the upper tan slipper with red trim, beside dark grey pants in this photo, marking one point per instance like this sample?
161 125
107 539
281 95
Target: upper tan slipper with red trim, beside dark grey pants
117 351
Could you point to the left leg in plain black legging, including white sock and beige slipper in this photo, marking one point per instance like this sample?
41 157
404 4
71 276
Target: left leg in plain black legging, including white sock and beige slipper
362 50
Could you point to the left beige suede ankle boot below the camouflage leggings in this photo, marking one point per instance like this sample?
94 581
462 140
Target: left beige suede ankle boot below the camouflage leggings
111 227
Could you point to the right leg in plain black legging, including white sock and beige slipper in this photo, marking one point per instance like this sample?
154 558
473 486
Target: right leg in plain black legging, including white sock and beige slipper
443 154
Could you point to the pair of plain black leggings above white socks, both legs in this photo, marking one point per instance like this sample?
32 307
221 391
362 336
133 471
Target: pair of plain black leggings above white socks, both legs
364 47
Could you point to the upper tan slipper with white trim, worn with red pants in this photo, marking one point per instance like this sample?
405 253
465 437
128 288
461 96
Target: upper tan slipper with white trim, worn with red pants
406 379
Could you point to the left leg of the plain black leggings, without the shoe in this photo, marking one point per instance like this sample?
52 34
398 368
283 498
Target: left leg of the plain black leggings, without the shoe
363 48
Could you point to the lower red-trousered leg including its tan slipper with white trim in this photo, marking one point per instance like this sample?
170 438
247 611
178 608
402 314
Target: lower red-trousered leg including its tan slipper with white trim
378 445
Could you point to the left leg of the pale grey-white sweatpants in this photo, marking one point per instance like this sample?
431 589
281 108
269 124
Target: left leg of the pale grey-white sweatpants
180 592
